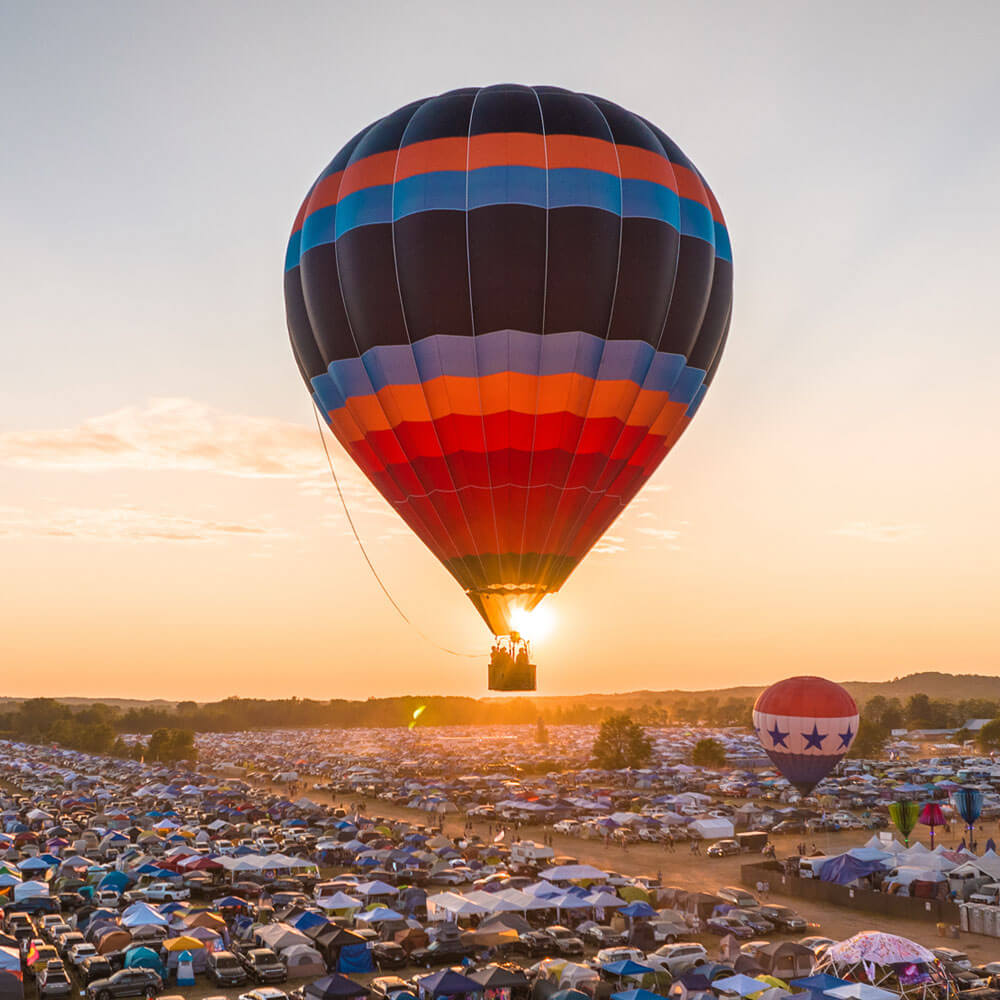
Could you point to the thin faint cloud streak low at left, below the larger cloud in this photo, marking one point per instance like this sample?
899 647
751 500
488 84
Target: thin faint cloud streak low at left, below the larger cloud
127 524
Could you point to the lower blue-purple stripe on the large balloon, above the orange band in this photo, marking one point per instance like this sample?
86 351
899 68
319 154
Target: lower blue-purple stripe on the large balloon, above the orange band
510 351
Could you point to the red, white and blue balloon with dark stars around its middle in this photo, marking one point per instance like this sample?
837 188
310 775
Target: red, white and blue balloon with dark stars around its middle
806 725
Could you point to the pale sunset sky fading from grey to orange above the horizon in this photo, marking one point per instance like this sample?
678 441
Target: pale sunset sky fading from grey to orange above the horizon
167 522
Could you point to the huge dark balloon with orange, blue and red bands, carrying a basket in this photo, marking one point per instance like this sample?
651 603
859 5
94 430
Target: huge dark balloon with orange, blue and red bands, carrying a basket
508 302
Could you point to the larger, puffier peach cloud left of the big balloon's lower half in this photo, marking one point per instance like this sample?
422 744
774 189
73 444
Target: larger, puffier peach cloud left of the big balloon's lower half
170 434
